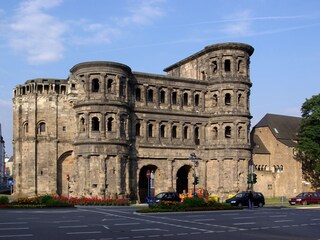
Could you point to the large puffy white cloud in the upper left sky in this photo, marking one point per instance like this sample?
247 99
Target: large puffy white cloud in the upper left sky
36 33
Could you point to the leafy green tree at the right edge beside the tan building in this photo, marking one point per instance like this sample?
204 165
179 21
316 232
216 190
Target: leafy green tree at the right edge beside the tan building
308 148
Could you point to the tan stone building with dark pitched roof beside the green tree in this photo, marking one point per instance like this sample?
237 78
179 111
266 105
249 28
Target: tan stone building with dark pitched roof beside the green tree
279 173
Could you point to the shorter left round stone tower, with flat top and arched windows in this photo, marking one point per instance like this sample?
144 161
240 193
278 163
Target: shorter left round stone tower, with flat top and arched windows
102 117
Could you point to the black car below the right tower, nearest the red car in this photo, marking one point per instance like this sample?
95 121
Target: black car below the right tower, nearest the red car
242 199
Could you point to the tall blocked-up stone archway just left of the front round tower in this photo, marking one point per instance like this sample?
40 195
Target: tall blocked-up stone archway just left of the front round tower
64 167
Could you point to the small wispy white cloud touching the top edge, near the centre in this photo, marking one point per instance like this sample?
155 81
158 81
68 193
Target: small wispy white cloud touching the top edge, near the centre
143 12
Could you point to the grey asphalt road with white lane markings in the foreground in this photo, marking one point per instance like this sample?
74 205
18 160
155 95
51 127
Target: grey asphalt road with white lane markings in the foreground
122 223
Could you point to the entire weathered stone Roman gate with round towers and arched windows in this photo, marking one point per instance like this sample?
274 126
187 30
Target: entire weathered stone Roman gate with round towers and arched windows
105 126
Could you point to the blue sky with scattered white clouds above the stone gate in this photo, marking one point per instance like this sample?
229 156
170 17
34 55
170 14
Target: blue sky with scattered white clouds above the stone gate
45 38
